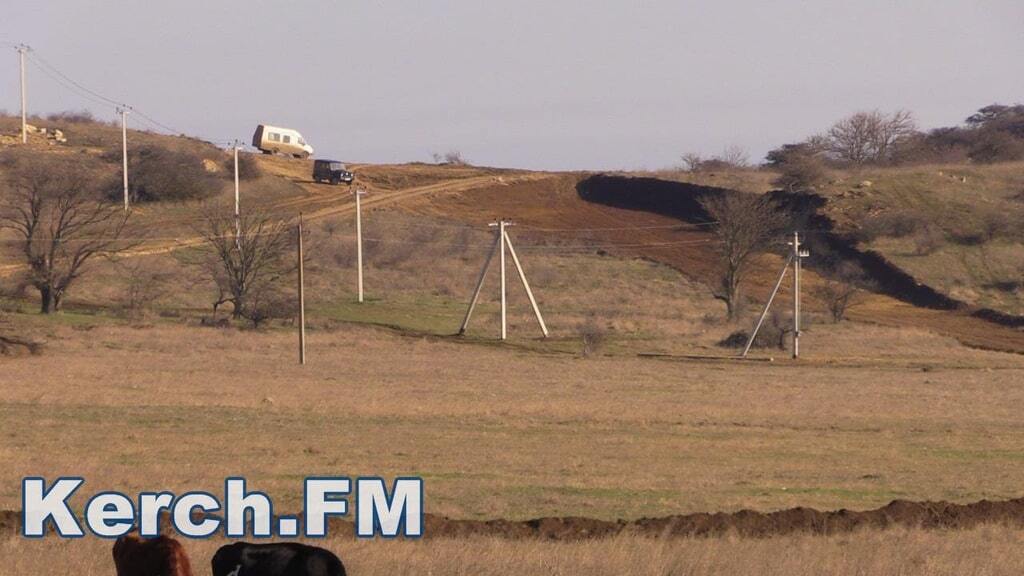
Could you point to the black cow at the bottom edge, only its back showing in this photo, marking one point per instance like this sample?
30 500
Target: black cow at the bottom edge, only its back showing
285 559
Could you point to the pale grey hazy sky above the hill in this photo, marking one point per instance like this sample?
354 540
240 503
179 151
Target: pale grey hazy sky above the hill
541 85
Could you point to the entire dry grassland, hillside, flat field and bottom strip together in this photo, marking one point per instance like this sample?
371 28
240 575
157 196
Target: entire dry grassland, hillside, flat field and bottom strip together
655 420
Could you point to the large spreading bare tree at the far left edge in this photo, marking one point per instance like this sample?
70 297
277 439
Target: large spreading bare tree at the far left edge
54 207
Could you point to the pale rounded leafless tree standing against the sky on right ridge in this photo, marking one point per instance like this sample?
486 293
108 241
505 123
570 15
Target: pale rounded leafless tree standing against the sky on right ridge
870 137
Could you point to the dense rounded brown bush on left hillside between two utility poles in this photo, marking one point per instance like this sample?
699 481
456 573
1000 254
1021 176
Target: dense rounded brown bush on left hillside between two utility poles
157 175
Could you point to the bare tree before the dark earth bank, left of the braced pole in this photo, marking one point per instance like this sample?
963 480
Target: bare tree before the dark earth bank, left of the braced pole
746 226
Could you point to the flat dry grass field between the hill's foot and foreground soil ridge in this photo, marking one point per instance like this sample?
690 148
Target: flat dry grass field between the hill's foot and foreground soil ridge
500 433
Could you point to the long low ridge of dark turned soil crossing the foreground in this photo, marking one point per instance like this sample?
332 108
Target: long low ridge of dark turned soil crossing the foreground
744 523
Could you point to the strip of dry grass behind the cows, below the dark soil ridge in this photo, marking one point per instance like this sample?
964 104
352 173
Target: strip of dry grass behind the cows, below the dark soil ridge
990 552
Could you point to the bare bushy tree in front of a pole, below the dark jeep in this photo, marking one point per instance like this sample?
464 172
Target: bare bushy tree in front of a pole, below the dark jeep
246 264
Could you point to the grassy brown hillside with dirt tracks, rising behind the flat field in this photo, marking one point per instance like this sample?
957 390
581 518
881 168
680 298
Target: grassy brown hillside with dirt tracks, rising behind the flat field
426 237
